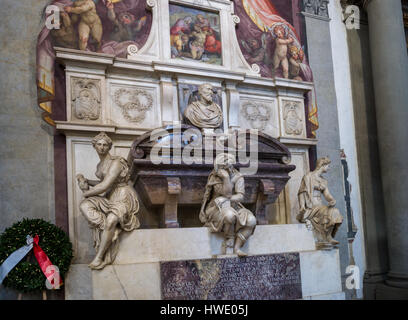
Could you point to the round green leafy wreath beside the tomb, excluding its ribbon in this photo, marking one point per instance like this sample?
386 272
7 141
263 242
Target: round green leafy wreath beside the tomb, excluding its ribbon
27 275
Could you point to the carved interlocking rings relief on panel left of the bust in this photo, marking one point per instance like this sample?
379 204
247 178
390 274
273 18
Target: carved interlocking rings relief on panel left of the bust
134 103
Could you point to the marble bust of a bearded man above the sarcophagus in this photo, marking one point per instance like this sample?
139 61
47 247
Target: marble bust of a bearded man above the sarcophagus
204 113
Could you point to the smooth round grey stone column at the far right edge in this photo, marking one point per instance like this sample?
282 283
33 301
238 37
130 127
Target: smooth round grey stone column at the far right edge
390 78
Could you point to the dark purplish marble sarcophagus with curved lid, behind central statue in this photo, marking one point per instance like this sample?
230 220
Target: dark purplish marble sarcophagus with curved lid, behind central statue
170 168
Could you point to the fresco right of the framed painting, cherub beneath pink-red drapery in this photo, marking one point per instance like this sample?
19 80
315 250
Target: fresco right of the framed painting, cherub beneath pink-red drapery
267 37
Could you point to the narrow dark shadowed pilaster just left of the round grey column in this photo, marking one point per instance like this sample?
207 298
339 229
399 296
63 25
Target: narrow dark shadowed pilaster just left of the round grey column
372 202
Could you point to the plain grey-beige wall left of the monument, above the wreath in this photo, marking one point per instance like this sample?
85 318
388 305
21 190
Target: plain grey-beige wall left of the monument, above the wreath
26 161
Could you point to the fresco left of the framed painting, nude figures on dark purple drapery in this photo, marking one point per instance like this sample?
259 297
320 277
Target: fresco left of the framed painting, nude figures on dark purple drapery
107 26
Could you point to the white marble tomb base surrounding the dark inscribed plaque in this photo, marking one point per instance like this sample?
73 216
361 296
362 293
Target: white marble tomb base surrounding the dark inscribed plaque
138 269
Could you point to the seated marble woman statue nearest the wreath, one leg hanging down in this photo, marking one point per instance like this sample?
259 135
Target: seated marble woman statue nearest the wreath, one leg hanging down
111 205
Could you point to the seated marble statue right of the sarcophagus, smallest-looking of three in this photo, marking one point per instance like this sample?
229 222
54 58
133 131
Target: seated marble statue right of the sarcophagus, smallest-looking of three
323 219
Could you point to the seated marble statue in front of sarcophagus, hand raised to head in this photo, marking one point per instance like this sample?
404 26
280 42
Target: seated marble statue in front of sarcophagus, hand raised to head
221 209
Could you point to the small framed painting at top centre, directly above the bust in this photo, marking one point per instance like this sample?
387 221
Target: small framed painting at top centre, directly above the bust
194 35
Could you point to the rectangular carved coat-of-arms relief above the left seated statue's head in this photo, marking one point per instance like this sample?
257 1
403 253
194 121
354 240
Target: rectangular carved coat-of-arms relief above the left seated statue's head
86 98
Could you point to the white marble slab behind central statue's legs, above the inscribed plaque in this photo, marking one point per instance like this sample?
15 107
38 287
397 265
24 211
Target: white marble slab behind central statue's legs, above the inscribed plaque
154 245
